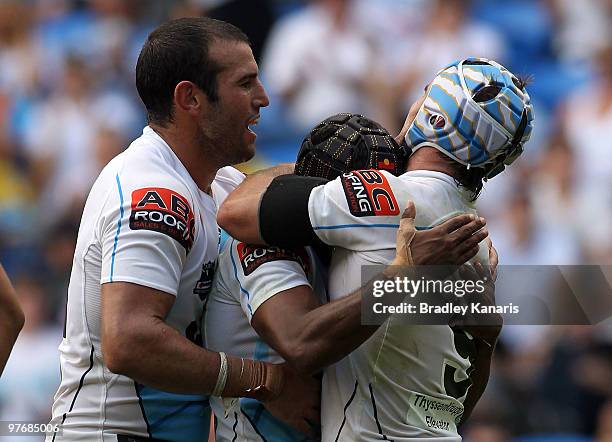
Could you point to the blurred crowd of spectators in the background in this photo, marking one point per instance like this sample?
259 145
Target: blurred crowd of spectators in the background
68 105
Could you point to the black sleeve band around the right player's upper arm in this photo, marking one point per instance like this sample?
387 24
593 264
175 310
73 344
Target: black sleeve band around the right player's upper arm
283 211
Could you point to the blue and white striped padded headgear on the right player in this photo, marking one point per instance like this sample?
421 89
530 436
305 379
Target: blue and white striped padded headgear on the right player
487 132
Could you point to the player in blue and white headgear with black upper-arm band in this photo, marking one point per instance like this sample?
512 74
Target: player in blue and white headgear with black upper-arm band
405 382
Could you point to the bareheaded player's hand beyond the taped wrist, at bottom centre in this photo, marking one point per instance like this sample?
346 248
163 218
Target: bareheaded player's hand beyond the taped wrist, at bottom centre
299 402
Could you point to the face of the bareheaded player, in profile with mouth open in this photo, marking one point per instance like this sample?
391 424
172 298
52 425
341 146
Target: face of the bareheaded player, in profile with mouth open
226 123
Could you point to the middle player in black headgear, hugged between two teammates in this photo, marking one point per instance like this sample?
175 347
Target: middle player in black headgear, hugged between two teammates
266 301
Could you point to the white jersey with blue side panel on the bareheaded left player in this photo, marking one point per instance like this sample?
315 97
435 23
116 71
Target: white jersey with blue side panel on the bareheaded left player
145 222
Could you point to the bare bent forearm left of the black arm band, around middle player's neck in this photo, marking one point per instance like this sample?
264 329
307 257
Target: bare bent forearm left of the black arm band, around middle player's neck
238 215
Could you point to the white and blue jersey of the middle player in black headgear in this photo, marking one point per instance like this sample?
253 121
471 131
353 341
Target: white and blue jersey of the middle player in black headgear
247 276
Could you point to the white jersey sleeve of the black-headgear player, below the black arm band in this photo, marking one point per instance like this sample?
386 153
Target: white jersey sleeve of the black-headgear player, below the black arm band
263 272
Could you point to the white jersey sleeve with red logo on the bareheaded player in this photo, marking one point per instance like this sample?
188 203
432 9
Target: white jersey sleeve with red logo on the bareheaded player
146 230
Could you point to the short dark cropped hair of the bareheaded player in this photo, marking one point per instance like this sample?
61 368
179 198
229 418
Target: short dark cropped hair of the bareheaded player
177 51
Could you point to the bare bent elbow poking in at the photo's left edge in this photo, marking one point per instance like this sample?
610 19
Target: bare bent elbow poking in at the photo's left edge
11 318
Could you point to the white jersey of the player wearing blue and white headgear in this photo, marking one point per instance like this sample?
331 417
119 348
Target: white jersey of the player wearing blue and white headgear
405 382
